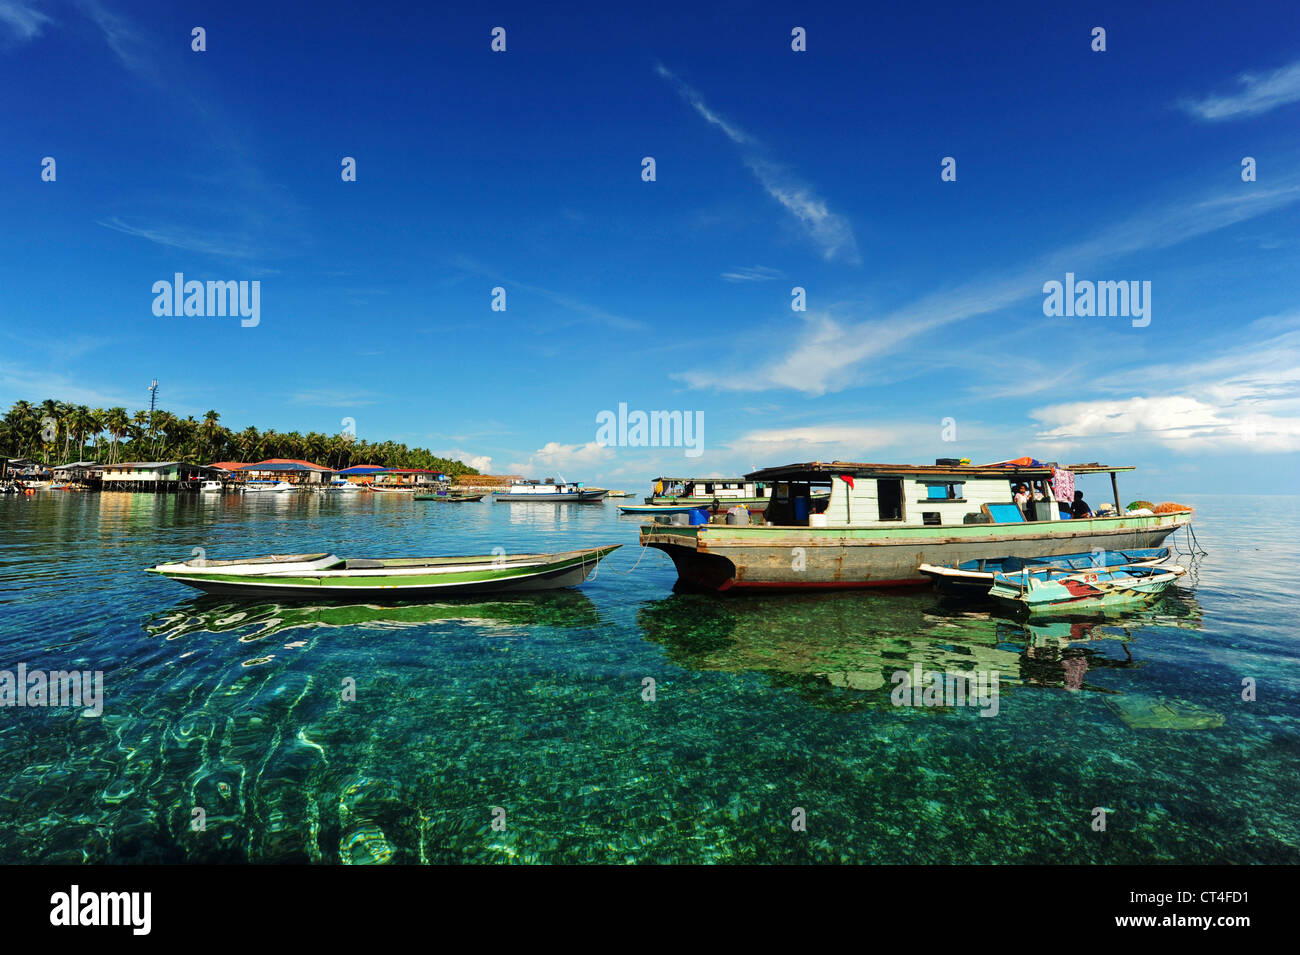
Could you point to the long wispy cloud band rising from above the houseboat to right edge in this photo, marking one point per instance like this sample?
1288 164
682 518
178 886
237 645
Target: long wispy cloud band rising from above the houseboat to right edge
831 353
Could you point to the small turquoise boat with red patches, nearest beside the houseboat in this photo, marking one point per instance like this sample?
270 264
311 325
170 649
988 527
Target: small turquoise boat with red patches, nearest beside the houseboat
1054 591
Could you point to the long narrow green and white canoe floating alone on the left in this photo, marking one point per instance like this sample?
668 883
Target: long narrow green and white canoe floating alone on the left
402 579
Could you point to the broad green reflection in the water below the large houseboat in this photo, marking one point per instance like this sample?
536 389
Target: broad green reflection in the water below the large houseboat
842 652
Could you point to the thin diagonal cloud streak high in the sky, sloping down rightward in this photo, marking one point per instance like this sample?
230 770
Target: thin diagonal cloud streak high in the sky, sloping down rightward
830 231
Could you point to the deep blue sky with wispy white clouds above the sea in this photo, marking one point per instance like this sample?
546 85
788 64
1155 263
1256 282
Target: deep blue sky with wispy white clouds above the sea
775 170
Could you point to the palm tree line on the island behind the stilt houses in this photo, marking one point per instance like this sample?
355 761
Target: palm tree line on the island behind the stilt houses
58 433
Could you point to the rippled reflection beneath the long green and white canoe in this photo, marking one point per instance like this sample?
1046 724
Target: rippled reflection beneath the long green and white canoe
258 622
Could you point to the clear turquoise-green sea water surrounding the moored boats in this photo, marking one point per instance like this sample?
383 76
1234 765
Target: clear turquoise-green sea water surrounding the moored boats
535 706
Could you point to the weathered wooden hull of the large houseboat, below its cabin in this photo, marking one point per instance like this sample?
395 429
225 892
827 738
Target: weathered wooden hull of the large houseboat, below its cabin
723 558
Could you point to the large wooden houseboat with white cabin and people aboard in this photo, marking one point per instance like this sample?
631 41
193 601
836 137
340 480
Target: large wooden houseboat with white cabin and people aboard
882 522
